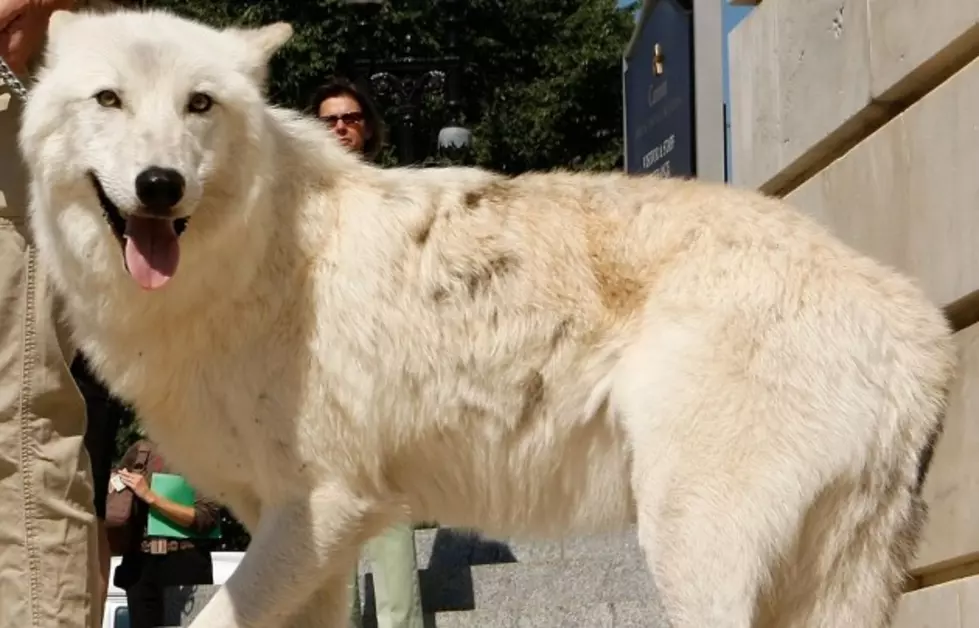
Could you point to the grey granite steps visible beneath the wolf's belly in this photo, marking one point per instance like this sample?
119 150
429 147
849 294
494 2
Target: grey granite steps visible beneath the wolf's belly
463 574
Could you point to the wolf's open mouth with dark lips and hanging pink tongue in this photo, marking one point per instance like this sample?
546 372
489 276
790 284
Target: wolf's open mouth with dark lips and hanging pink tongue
150 246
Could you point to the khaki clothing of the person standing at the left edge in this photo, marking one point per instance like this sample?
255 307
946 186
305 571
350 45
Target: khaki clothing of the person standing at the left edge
48 558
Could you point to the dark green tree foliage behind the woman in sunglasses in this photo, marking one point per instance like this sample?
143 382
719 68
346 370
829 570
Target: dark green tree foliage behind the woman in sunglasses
541 89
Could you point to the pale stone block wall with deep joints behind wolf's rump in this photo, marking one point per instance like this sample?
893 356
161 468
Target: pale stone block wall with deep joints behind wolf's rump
865 114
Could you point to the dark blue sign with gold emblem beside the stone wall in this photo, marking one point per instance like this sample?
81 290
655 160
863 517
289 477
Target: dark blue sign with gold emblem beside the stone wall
659 92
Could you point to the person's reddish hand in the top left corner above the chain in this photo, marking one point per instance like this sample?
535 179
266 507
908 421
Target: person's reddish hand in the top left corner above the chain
23 24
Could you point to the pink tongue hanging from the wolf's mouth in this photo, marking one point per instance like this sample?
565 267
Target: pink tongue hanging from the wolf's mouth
152 251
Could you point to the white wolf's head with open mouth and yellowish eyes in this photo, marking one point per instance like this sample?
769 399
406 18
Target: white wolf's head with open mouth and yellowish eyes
137 122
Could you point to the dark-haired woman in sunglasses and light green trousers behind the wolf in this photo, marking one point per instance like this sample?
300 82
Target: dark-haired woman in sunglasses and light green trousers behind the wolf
352 116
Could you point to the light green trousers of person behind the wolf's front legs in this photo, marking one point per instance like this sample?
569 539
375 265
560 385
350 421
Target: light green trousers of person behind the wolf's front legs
396 590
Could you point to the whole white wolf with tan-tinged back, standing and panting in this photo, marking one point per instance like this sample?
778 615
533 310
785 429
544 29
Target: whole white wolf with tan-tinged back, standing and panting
329 347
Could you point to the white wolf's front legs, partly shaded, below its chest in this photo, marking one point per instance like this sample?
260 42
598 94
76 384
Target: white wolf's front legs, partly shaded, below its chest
301 547
